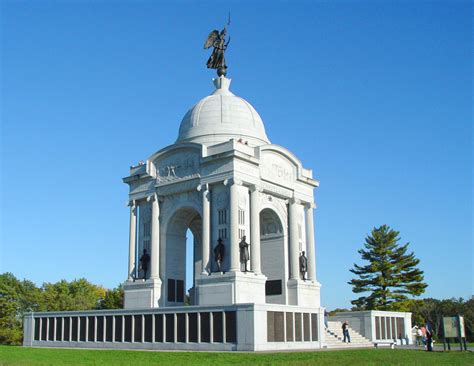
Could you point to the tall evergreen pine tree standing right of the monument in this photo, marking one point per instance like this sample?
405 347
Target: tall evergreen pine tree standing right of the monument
390 275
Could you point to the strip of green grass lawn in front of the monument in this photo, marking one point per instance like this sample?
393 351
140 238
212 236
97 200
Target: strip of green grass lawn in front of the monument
45 356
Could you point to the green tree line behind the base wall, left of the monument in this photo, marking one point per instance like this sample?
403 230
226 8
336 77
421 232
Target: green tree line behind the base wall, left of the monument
20 297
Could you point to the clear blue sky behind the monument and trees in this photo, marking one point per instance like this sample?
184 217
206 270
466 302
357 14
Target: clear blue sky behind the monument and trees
375 97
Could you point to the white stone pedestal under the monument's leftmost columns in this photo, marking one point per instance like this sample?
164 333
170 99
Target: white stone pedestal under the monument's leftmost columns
141 294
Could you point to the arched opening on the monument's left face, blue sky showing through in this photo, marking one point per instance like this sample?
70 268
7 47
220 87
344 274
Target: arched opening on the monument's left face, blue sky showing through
183 256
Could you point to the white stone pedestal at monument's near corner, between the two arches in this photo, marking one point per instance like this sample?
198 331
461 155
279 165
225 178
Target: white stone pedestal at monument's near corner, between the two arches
231 288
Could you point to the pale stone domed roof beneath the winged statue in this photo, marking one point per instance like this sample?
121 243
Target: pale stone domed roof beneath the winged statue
220 117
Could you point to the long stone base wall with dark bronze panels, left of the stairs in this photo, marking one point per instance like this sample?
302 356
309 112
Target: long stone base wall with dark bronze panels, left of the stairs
242 327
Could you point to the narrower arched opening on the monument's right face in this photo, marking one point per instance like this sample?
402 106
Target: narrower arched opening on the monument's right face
272 252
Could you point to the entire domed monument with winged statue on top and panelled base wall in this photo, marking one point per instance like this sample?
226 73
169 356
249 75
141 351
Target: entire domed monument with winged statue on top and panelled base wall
249 204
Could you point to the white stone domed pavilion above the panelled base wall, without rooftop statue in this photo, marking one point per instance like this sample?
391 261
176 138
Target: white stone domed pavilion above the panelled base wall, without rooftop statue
222 179
